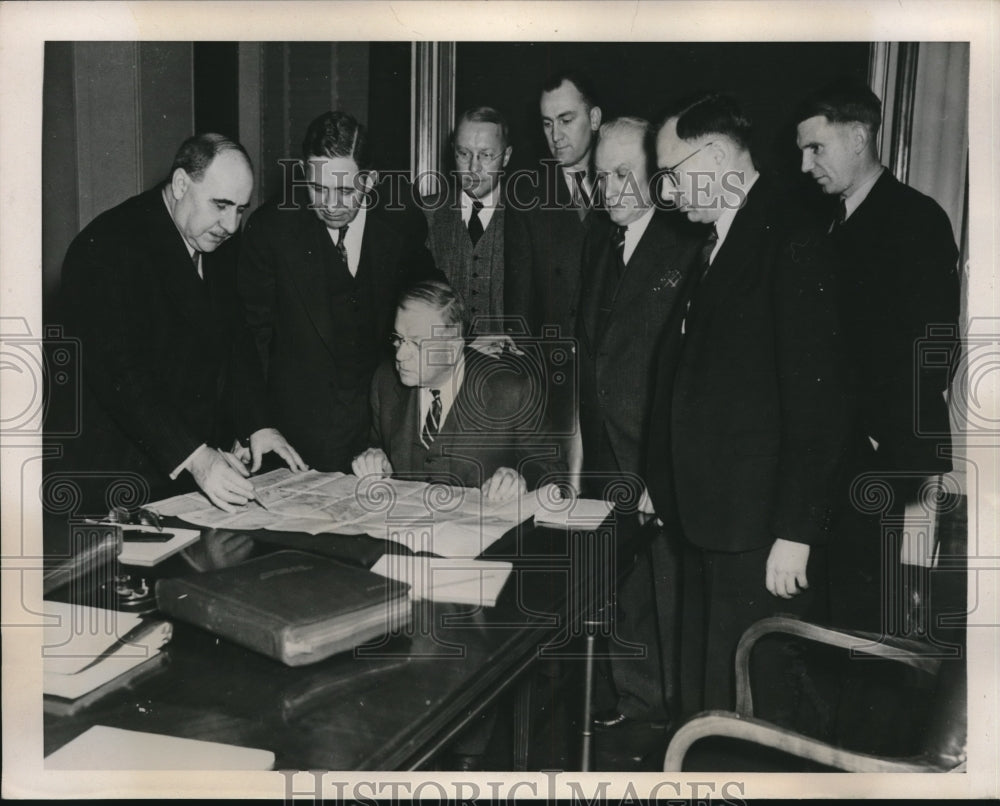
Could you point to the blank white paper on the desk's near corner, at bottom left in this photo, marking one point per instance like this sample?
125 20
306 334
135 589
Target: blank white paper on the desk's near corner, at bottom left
104 748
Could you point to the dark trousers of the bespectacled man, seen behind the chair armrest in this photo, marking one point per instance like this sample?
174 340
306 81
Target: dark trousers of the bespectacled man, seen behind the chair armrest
723 594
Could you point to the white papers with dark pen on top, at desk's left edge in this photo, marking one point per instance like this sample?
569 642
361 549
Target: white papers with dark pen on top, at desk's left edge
86 647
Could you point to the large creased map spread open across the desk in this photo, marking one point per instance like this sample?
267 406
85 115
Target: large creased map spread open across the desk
435 518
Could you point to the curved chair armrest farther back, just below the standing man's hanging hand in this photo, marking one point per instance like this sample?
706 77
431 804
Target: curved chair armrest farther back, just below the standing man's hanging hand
920 656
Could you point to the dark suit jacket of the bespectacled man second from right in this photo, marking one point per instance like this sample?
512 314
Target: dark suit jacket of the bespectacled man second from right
750 417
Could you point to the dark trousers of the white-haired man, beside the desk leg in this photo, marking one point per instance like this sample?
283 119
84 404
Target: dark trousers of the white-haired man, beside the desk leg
646 615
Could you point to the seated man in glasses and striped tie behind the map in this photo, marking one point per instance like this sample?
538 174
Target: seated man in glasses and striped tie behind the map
446 413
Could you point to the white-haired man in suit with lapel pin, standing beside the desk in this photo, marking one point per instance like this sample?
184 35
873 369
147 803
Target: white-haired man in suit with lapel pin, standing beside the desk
633 267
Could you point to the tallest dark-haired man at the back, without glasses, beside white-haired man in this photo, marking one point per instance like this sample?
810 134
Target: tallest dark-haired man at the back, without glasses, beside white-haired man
543 246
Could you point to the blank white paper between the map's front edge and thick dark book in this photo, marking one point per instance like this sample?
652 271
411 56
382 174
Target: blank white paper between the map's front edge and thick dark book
443 579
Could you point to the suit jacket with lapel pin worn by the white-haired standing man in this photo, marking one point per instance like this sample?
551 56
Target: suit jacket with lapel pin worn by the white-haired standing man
617 360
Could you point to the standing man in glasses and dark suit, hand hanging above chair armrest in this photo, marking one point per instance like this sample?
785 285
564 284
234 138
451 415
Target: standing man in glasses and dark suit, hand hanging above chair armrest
749 421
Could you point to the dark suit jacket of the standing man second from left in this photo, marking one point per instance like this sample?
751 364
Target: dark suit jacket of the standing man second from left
319 359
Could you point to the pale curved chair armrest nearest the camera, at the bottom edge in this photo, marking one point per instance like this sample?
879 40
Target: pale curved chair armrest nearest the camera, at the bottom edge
729 725
